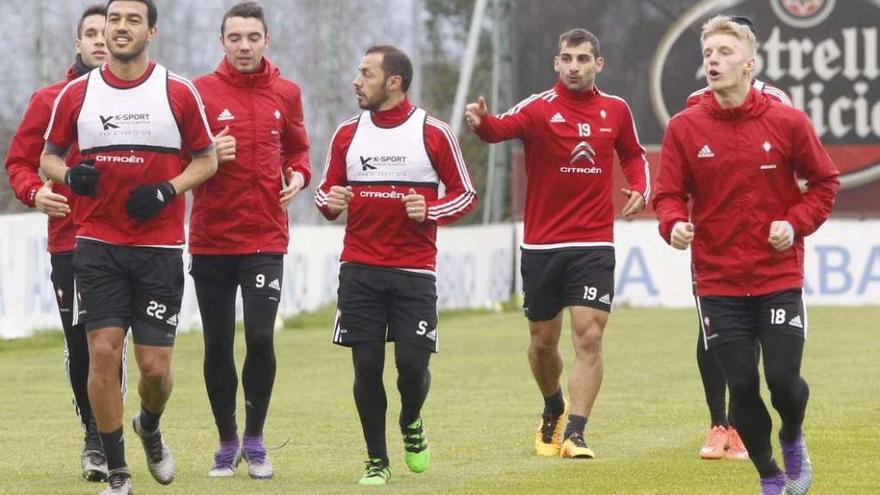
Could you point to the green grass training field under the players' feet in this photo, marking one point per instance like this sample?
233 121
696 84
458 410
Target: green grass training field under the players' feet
647 426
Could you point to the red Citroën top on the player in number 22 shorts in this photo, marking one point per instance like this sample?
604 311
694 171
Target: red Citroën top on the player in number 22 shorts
103 217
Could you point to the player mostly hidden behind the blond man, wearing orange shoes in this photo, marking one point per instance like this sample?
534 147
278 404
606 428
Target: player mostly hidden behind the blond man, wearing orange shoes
723 440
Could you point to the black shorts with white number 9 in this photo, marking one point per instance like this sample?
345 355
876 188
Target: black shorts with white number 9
257 274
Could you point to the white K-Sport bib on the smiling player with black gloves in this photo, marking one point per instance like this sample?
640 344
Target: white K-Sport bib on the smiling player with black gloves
133 118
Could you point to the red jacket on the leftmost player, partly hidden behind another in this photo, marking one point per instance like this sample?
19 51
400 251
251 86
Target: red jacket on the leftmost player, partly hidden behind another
23 163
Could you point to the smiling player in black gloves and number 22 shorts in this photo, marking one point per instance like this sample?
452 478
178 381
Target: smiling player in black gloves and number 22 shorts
133 121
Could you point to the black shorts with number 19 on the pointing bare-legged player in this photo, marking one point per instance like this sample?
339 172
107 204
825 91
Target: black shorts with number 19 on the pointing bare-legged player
556 279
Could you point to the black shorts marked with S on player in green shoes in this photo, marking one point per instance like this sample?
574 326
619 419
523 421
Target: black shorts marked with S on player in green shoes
386 305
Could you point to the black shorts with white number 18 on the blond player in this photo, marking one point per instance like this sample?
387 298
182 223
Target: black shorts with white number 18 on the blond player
727 319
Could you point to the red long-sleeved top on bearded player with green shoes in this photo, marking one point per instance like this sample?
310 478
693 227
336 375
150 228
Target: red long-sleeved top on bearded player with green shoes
378 231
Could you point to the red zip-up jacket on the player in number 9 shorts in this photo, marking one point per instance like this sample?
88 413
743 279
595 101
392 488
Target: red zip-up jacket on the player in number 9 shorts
237 211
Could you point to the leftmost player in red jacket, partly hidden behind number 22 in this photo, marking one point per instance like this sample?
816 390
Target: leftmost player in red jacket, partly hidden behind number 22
55 200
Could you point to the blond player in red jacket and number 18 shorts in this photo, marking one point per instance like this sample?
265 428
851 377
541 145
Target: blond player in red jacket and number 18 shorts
736 156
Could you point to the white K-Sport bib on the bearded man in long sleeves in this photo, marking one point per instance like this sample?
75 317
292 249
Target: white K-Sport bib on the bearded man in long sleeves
395 155
